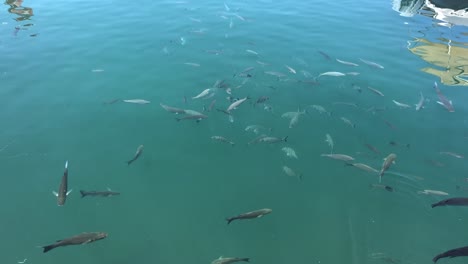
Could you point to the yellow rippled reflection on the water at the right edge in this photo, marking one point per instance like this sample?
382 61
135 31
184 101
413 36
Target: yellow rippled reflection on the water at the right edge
450 62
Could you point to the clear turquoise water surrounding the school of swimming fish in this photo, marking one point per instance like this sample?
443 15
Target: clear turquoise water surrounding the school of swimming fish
58 75
